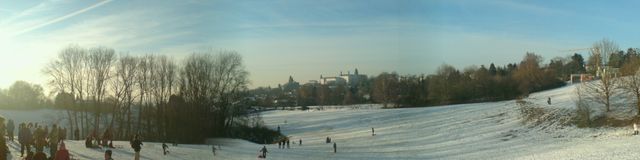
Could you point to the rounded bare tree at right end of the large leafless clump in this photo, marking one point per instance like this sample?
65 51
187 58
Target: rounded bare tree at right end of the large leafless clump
213 84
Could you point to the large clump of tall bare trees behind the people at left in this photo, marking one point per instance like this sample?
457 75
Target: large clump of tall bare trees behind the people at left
133 94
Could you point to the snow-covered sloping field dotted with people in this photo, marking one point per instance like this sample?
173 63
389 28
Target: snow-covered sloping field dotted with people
468 131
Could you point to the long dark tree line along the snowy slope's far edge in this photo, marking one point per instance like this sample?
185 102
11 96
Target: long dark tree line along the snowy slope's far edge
448 85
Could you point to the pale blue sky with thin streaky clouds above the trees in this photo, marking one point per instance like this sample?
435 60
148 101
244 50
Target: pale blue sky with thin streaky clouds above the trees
309 38
